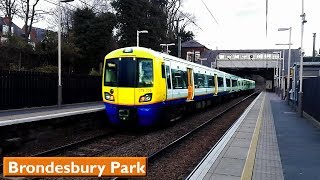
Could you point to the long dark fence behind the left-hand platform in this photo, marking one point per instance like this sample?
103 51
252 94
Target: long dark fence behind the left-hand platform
20 89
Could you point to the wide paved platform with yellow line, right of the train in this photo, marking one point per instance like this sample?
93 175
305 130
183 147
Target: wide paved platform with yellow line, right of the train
269 141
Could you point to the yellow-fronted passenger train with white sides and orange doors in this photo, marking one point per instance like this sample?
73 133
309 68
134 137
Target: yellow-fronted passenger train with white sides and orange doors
142 87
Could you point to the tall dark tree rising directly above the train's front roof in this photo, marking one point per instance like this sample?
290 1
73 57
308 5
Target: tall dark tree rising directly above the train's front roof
133 15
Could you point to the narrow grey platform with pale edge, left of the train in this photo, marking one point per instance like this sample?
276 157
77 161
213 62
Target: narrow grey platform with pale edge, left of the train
17 116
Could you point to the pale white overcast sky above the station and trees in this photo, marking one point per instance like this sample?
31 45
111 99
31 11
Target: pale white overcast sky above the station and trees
242 23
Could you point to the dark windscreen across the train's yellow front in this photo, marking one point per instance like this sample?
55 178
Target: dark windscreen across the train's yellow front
129 72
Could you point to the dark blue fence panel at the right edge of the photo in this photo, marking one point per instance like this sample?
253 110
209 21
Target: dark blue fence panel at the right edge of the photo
311 97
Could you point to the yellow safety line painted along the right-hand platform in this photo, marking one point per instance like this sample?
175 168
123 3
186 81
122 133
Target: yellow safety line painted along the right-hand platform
248 166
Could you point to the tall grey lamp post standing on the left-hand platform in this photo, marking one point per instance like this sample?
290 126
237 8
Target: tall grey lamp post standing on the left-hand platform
59 52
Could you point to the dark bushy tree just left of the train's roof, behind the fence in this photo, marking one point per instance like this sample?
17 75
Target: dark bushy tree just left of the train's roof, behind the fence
93 36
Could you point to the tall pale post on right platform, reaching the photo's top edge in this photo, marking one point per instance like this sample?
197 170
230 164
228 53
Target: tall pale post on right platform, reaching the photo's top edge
303 20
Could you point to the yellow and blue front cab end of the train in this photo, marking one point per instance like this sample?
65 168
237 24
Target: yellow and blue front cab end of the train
132 87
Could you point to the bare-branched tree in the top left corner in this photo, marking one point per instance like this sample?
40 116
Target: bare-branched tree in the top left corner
9 8
